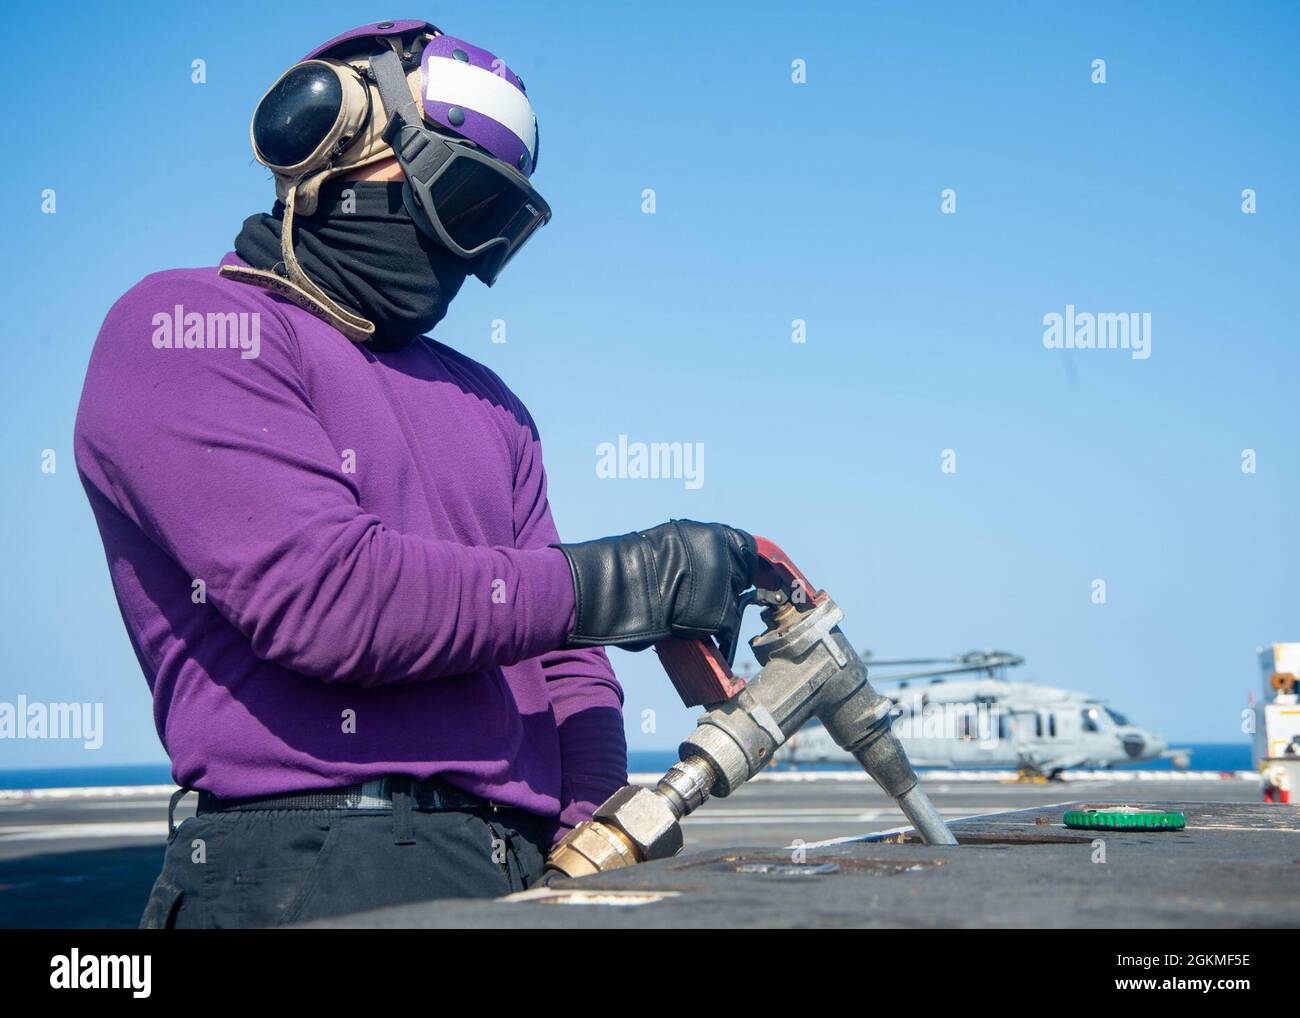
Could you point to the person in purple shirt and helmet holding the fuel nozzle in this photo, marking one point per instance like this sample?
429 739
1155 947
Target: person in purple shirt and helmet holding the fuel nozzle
330 534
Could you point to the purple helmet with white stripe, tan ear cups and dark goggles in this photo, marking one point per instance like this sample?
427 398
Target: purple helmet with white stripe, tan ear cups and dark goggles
456 116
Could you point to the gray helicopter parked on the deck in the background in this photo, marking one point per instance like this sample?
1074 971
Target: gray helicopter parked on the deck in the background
983 720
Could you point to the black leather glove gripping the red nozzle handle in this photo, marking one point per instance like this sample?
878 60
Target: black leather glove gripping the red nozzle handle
682 579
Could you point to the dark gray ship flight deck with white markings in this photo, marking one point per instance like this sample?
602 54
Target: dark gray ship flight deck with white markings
88 859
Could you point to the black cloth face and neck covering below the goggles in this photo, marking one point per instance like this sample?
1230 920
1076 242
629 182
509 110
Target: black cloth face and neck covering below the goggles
365 250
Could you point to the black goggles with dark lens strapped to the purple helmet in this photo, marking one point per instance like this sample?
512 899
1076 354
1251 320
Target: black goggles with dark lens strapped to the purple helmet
475 205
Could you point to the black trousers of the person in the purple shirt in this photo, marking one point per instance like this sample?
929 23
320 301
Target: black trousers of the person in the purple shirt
271 868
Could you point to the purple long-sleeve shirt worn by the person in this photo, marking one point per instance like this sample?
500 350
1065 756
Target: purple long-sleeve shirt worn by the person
333 564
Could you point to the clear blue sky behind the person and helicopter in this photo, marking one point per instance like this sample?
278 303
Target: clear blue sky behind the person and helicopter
775 202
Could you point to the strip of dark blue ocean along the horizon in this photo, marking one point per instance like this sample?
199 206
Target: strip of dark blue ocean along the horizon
1206 757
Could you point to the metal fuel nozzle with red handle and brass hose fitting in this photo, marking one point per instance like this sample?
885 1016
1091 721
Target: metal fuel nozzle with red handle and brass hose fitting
809 669
